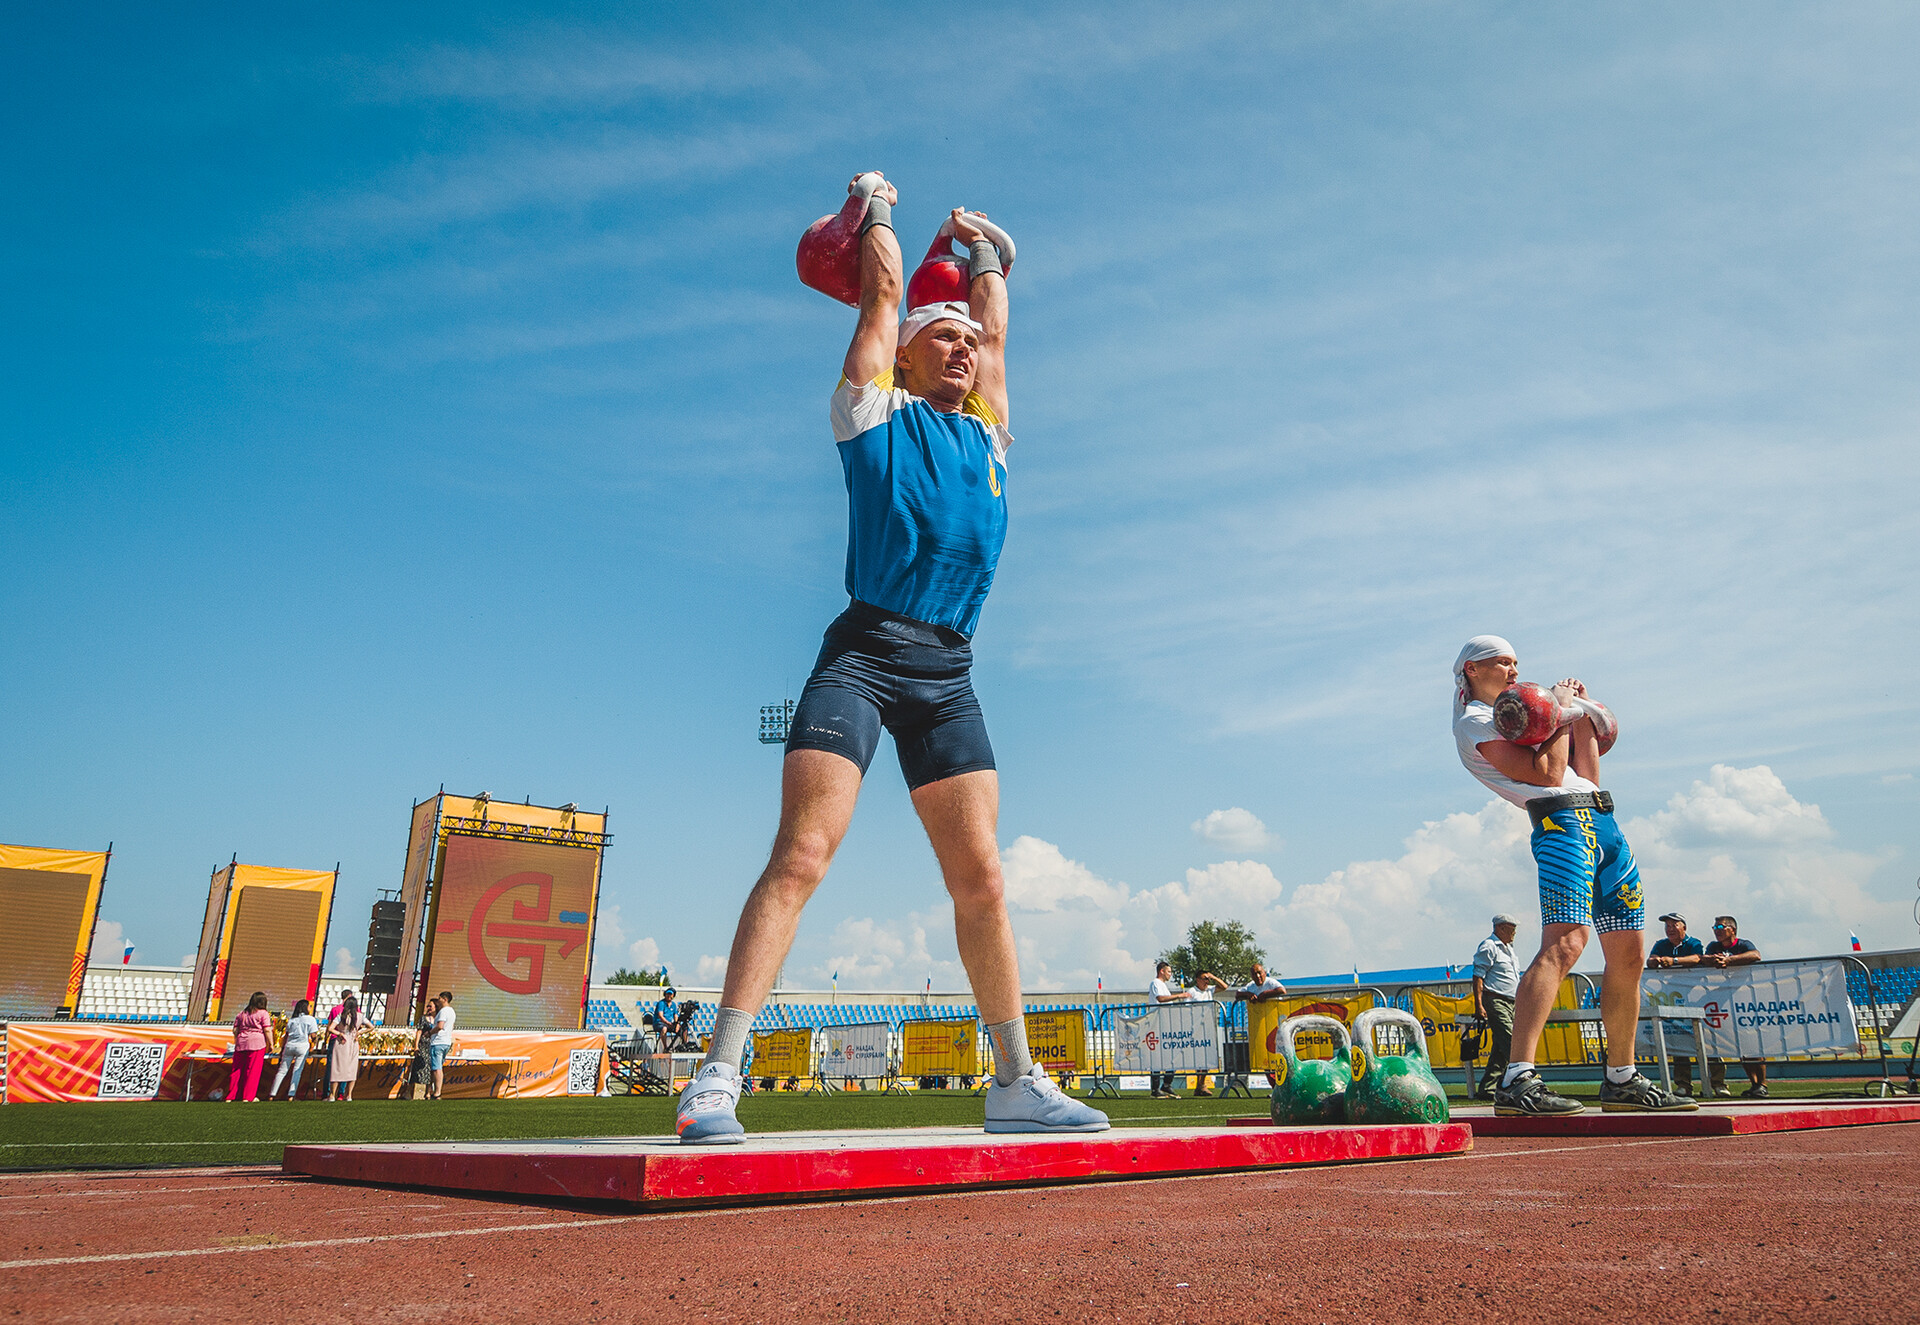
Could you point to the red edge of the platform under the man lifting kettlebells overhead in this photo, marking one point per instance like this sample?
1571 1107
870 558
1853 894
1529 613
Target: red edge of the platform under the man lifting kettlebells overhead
748 1176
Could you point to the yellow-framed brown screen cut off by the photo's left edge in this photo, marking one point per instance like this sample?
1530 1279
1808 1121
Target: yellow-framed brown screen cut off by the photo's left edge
53 900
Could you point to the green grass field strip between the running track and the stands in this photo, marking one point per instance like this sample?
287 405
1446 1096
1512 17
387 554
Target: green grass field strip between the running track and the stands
139 1134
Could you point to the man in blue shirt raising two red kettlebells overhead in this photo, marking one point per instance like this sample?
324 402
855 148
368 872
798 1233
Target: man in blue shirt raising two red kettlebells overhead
921 422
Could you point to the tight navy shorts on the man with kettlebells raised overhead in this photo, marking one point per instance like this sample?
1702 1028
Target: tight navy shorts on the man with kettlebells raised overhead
884 671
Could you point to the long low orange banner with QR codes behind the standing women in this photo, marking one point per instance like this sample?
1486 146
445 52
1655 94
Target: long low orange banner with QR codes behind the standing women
68 1063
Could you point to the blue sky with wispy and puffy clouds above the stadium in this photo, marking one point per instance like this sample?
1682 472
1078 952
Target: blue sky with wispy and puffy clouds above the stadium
427 398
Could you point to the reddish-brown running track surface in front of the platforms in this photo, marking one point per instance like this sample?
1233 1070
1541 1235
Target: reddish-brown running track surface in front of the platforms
1812 1226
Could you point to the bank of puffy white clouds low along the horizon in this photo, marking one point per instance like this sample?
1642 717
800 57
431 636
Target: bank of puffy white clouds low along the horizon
1735 842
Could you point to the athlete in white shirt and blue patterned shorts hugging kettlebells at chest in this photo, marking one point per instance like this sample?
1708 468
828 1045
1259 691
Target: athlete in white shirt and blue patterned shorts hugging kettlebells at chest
1589 880
